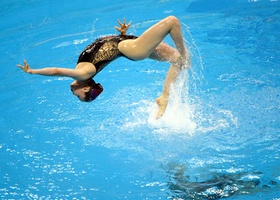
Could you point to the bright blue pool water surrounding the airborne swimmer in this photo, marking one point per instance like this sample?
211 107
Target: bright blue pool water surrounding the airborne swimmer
218 139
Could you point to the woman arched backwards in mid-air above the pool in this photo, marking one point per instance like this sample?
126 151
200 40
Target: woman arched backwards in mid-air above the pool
106 49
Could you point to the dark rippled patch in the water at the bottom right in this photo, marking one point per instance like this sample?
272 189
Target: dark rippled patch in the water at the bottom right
219 185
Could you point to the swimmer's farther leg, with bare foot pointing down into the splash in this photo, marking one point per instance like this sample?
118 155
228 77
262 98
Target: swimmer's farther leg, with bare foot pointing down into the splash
166 53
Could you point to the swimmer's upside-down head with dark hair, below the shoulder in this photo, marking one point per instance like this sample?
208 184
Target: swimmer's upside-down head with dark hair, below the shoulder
86 91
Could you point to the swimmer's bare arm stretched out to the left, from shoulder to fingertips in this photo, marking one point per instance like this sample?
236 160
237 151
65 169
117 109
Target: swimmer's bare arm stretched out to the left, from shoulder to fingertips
85 71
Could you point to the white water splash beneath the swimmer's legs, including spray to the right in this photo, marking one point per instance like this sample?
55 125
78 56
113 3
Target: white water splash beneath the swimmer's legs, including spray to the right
185 114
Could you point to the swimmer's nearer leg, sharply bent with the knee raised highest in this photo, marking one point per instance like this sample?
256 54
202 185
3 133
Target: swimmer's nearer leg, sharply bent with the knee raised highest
142 47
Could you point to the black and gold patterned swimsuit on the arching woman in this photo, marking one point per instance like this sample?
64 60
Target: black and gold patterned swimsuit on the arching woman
104 50
